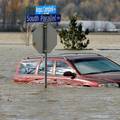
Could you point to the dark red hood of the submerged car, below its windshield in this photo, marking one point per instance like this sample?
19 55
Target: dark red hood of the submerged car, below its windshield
104 77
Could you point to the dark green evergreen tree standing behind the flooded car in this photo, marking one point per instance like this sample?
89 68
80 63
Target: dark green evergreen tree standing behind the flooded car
74 37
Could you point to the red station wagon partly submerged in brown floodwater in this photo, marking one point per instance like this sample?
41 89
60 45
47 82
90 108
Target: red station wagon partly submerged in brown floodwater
91 70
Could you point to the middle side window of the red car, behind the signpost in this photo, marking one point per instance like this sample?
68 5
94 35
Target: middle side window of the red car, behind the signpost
41 69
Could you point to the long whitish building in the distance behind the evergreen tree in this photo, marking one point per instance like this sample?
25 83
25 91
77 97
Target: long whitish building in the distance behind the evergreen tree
94 26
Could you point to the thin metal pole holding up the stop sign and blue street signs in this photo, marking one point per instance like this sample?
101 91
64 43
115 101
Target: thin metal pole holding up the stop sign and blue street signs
45 50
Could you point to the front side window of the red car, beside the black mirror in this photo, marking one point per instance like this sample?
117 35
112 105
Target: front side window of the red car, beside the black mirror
62 67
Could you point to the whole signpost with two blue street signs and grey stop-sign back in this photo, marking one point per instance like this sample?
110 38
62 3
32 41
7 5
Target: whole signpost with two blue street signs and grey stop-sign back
44 14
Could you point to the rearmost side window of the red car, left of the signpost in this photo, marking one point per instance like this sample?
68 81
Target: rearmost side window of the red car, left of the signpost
28 67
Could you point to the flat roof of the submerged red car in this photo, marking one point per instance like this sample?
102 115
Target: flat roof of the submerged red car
69 56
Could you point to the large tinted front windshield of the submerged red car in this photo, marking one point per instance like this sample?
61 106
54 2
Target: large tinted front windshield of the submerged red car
95 66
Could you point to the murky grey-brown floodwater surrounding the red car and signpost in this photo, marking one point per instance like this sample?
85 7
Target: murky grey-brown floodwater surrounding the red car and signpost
34 102
